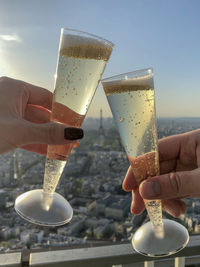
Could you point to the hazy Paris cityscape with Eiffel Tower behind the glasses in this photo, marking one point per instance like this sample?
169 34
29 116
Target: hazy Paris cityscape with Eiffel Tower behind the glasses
91 182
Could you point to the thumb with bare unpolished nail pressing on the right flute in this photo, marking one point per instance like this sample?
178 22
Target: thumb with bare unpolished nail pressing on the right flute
171 185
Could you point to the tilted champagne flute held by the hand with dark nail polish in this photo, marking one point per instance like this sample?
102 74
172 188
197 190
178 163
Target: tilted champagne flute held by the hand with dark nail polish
82 59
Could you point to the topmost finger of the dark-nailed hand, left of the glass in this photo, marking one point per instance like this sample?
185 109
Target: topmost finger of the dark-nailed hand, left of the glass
38 95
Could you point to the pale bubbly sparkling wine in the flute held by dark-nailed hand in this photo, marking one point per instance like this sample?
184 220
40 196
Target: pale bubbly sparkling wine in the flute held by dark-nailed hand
80 66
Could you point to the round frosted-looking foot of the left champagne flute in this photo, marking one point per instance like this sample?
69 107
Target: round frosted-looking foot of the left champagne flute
44 209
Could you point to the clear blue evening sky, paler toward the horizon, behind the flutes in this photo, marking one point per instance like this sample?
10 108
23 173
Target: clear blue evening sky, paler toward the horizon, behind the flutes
162 34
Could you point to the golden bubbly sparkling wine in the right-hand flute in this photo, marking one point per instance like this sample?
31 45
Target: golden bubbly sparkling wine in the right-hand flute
132 105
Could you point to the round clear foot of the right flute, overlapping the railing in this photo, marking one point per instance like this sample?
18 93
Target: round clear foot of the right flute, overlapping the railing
147 243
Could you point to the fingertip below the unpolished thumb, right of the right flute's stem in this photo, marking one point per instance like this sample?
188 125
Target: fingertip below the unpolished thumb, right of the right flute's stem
174 207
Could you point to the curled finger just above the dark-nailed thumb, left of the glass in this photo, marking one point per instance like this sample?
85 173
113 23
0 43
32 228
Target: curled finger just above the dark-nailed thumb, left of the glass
37 114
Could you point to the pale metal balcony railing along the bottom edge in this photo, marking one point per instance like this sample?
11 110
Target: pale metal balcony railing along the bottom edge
121 255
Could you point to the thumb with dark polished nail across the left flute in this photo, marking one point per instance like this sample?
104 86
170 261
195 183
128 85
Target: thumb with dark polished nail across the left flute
47 133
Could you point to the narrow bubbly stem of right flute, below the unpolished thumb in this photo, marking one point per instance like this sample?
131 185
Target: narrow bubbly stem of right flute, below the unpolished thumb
154 209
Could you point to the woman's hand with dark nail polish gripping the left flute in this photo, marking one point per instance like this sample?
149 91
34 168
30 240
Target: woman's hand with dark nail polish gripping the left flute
25 111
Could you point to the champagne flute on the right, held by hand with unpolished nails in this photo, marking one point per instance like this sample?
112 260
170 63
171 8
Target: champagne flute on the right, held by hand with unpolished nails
132 102
